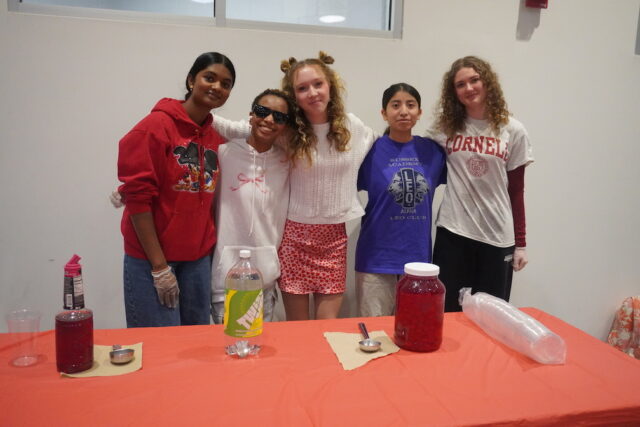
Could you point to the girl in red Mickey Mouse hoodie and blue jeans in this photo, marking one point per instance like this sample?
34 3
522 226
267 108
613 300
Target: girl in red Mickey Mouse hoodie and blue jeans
168 165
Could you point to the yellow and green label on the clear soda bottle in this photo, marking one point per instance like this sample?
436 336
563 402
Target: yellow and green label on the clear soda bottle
243 313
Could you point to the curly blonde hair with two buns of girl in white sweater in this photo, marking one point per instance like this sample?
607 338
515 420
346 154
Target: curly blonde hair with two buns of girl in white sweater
301 144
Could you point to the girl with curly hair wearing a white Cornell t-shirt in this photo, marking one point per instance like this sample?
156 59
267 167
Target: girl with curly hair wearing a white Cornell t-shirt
480 239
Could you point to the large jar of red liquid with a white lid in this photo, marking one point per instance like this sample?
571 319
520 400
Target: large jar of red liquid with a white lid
419 308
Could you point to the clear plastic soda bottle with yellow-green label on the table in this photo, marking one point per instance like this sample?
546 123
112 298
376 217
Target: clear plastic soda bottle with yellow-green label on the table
243 308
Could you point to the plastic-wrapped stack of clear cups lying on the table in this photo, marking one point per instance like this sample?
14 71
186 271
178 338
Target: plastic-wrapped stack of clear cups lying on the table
512 327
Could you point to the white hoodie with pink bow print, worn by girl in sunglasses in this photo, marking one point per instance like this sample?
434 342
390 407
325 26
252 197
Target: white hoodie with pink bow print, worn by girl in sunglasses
253 198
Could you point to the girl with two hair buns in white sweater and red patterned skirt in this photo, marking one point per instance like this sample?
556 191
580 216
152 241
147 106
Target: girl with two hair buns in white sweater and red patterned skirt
326 154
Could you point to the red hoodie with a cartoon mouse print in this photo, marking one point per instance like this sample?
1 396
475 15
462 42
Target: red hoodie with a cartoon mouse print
169 166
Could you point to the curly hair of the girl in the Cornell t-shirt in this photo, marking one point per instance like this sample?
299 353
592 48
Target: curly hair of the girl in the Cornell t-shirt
452 114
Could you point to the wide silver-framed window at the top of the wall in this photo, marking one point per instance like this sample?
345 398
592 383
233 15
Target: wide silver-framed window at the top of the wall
377 18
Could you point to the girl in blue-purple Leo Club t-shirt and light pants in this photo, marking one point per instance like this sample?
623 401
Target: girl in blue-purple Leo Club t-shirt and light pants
400 174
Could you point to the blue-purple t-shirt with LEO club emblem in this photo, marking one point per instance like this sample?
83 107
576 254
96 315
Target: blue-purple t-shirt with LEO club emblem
400 179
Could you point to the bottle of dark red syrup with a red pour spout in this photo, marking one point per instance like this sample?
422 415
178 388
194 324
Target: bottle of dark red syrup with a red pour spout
74 325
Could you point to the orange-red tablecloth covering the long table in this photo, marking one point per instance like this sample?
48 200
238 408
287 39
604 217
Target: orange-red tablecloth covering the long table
187 379
